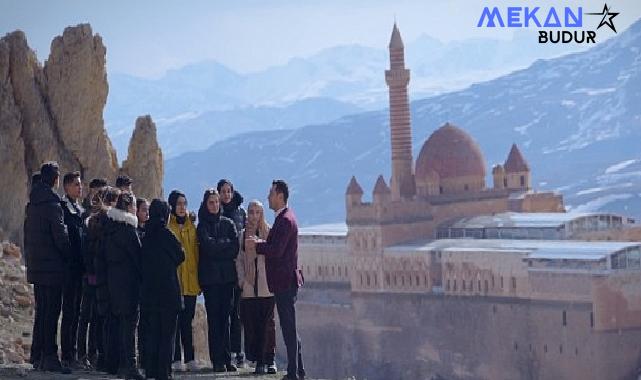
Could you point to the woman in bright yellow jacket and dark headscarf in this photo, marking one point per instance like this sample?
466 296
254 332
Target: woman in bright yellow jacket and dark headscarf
182 225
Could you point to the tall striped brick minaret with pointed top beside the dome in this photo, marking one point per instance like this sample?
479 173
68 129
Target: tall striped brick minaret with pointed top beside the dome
397 77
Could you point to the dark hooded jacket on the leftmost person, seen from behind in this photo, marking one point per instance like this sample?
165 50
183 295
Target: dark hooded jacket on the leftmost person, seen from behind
46 238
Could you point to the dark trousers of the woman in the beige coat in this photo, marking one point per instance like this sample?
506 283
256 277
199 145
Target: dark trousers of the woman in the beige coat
257 315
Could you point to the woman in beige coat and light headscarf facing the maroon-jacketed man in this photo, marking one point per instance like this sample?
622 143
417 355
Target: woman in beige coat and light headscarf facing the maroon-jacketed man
257 303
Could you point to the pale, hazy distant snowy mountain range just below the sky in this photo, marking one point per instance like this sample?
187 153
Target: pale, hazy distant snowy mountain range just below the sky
349 74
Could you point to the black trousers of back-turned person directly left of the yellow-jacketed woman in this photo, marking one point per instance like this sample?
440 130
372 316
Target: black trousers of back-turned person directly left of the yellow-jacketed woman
160 332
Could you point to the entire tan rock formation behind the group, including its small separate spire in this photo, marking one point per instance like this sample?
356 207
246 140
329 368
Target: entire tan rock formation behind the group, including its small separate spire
55 113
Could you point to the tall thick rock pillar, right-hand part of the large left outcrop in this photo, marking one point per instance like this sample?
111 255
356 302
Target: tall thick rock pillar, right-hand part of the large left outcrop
77 92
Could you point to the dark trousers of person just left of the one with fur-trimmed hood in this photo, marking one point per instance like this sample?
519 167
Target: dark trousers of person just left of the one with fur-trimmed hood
89 325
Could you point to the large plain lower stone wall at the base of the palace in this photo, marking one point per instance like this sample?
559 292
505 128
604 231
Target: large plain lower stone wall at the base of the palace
420 336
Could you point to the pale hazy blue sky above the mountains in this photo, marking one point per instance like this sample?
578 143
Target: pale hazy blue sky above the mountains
147 37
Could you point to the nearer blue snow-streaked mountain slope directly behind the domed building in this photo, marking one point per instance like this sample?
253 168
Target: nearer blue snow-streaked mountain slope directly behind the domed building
576 118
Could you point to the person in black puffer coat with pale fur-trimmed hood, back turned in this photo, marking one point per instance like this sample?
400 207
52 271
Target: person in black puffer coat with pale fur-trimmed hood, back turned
122 253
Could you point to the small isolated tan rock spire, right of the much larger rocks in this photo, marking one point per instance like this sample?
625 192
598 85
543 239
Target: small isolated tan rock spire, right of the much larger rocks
144 162
